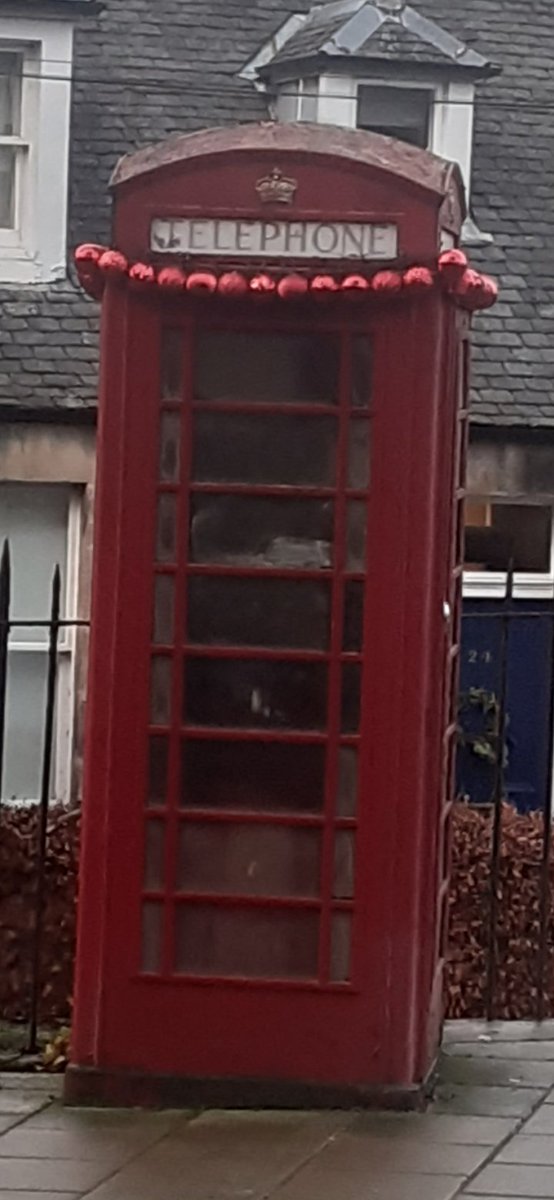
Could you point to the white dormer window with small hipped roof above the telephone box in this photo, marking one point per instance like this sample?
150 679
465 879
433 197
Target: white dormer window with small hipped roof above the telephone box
380 67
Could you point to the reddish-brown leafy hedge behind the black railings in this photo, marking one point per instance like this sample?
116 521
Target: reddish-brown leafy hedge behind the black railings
517 929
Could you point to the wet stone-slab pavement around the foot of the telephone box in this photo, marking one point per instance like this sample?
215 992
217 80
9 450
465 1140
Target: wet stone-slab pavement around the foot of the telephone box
489 1135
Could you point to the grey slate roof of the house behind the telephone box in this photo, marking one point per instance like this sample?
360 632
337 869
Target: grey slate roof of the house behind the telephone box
147 69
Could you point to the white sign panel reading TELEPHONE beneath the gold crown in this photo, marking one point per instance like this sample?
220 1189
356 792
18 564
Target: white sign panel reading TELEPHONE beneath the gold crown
275 239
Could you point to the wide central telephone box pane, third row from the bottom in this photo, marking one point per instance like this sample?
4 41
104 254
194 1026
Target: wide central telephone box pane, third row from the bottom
261 777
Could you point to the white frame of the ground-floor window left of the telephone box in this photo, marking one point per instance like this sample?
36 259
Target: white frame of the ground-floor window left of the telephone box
64 730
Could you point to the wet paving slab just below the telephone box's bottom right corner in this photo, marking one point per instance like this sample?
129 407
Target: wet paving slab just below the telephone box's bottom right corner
441 1127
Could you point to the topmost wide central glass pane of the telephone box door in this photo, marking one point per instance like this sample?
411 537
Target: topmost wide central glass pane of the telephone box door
268 368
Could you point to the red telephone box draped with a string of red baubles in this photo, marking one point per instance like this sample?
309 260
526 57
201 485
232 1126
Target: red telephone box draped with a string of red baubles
264 862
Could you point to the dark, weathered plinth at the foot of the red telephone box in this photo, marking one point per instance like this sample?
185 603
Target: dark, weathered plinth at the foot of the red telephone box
136 1089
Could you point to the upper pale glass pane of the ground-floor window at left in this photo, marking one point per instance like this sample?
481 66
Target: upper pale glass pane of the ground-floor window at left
34 519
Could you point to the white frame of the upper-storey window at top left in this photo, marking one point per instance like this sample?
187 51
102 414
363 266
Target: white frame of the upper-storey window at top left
35 251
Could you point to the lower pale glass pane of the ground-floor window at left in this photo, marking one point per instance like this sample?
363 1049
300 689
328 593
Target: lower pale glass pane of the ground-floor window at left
26 698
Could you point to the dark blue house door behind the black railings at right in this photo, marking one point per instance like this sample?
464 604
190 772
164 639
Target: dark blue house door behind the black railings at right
529 686
